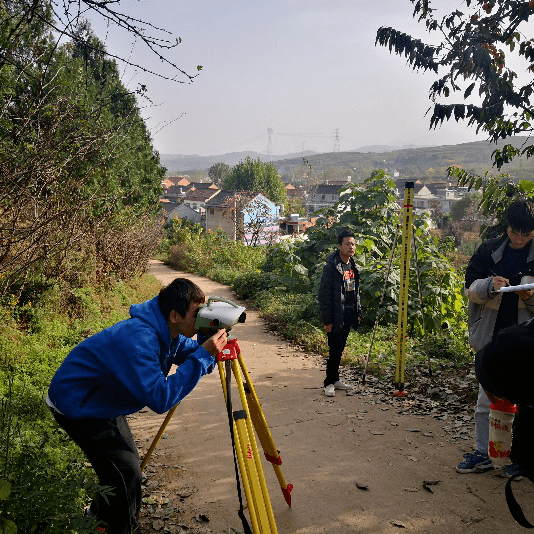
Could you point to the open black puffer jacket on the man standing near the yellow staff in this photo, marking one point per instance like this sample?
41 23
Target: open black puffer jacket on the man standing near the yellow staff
331 294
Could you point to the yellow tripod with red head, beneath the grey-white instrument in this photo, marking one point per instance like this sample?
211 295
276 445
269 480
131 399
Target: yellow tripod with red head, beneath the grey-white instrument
244 422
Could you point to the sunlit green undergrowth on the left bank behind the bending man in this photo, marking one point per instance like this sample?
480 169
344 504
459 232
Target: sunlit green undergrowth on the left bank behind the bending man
44 483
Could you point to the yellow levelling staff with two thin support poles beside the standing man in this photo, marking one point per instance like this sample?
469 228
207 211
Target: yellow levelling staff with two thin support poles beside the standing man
408 239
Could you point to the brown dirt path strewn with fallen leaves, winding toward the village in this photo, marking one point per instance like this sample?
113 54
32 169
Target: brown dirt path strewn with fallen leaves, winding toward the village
329 446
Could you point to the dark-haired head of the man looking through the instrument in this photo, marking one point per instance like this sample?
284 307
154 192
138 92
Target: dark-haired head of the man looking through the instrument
179 303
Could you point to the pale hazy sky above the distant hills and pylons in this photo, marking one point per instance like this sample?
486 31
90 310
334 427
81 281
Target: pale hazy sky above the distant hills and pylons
304 68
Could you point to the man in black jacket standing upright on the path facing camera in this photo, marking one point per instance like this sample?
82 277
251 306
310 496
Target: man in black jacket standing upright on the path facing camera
339 305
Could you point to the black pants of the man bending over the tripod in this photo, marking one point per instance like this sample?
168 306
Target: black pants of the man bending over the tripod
109 446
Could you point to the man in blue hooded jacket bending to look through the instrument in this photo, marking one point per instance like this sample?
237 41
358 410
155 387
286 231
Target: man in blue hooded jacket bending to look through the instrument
120 371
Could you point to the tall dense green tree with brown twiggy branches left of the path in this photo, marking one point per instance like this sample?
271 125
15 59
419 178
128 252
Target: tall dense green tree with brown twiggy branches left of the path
76 163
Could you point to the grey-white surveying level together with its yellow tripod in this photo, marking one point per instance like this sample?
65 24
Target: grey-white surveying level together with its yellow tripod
216 314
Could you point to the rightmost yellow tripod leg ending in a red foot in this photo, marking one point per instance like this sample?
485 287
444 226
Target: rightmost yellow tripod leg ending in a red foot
266 439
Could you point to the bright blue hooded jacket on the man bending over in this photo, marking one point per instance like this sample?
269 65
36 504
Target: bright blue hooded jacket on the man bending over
124 368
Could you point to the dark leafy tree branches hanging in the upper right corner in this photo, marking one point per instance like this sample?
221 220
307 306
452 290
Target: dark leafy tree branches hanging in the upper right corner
482 46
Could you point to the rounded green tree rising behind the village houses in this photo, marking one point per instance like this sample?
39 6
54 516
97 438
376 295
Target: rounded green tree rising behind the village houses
257 177
